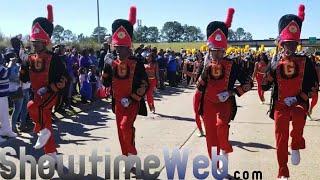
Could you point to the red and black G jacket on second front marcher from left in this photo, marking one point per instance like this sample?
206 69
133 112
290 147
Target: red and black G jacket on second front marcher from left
127 81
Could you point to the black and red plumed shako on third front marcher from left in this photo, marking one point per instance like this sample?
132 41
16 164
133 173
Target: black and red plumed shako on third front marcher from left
217 32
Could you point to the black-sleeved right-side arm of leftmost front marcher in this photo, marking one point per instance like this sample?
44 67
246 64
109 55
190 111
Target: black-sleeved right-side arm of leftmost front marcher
58 74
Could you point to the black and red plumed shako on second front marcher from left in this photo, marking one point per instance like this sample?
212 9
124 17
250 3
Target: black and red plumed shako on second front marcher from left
122 30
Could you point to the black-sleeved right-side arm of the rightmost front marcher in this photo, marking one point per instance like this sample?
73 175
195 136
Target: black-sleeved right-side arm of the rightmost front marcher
310 84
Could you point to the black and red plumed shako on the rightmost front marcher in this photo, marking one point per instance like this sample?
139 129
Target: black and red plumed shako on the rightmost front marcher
290 26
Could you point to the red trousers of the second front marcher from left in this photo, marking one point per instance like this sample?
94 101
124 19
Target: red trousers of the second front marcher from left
125 118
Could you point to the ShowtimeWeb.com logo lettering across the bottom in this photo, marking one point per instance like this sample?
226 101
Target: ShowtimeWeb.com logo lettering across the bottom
151 162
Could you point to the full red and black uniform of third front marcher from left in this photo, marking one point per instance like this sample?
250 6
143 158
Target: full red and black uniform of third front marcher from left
219 77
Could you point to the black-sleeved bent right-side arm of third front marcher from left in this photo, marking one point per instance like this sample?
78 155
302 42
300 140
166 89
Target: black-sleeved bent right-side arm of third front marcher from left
246 82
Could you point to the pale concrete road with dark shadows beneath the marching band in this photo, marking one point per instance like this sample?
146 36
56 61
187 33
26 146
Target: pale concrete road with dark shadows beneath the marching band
252 135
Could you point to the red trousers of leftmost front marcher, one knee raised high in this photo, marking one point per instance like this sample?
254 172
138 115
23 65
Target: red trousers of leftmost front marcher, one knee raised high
40 111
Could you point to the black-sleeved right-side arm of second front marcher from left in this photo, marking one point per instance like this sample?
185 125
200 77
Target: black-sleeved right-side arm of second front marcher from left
140 82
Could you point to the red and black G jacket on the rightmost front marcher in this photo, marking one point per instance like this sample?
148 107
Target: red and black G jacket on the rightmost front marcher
294 78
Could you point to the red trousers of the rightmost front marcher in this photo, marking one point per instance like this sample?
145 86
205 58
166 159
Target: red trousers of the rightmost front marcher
282 116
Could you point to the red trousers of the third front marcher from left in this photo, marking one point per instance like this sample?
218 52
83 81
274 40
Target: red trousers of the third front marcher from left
216 121
